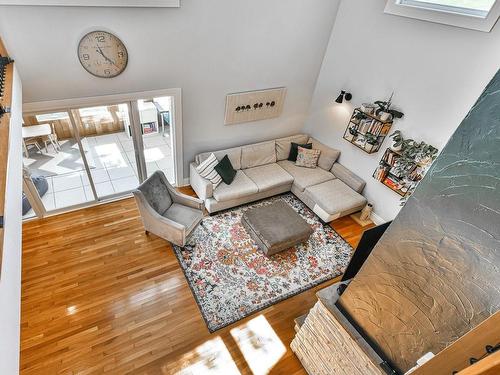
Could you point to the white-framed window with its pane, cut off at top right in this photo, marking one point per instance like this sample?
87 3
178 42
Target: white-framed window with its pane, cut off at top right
470 14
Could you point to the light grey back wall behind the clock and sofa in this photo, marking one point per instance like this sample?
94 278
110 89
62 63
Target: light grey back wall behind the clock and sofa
207 48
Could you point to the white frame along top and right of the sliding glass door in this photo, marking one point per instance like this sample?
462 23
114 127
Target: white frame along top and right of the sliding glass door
176 93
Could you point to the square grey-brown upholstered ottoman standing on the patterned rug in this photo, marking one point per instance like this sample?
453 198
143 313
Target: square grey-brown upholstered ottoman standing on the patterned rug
275 227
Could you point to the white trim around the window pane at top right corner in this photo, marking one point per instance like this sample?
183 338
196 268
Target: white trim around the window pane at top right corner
445 17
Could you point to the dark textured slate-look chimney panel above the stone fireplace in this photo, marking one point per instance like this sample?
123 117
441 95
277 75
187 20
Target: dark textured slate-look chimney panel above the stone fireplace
434 275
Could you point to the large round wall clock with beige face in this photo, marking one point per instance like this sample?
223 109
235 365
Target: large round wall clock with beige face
102 54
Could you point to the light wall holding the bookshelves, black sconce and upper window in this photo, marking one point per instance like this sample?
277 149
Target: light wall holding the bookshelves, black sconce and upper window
437 73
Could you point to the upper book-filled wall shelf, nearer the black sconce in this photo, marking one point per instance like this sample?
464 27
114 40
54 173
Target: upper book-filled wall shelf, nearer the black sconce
366 131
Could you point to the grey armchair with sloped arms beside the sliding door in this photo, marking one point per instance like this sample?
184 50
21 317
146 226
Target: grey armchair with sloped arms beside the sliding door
166 212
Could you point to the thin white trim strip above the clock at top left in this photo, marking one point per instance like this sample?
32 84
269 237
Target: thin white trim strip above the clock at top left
97 3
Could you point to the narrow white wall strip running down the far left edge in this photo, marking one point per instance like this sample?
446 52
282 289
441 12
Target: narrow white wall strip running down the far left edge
10 279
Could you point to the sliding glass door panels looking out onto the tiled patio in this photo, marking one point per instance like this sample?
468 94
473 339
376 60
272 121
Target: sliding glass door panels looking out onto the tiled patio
83 155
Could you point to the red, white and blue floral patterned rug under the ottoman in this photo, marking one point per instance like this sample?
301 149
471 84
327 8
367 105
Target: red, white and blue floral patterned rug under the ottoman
231 278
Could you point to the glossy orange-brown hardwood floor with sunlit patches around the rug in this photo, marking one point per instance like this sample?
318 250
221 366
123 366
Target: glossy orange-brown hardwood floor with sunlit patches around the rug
100 296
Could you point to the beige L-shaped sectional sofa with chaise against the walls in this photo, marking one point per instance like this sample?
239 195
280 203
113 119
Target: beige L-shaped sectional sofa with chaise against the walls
330 190
